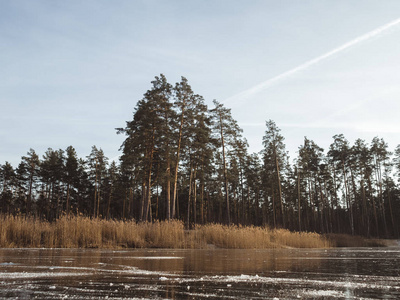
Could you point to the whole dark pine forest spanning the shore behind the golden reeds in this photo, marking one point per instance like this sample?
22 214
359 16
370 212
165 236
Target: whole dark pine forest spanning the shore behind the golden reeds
182 160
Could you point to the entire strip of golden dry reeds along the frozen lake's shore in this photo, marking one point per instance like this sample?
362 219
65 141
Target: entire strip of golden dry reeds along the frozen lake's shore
84 232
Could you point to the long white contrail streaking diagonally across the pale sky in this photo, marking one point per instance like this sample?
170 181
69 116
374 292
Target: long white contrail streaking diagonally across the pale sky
270 82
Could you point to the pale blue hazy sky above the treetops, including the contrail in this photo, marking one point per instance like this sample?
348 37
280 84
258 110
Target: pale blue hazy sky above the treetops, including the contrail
72 71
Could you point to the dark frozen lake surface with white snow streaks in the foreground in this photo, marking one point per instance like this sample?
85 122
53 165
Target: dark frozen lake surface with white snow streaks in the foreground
366 273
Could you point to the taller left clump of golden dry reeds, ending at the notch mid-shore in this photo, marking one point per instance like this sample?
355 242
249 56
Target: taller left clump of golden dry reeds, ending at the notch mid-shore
83 232
